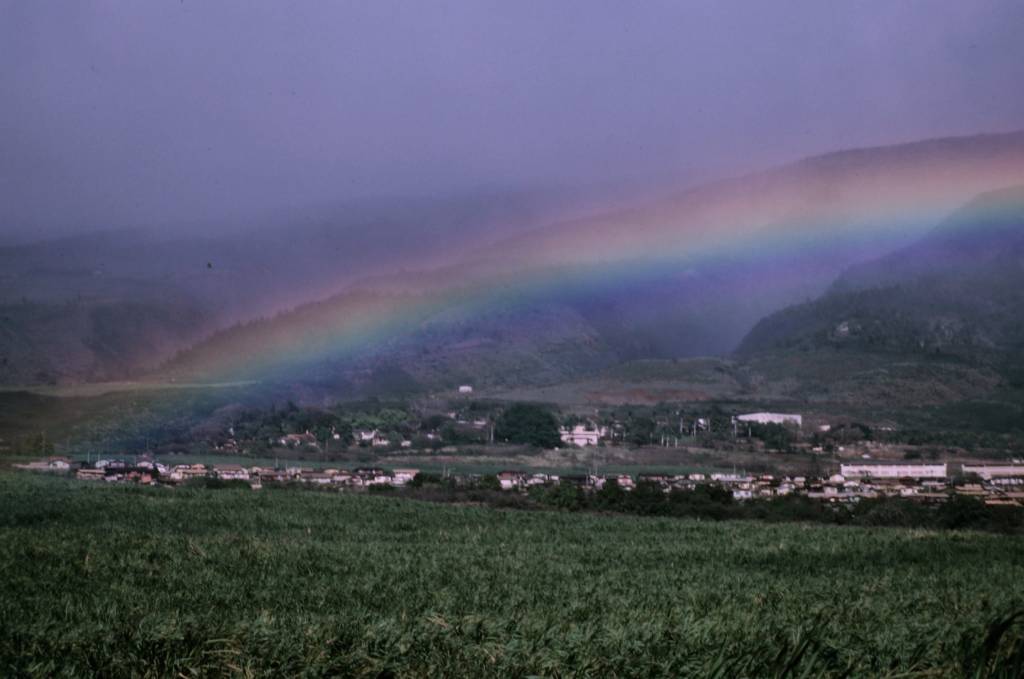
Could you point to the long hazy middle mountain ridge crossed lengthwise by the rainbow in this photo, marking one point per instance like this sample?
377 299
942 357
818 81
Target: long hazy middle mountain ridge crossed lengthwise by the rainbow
433 334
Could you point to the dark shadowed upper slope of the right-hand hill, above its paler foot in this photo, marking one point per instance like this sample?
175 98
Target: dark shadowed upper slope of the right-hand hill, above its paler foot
957 294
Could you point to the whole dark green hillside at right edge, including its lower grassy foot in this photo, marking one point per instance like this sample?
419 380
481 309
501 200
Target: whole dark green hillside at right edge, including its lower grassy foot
940 322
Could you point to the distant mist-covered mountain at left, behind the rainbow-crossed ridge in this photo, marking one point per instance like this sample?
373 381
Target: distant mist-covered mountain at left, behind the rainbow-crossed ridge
113 305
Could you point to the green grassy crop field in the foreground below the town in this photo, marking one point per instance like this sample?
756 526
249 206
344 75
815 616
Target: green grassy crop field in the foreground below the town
114 581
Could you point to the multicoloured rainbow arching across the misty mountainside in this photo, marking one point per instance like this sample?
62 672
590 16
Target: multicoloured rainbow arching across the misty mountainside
765 231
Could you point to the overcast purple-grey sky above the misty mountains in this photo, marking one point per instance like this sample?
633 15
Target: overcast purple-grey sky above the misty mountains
126 113
